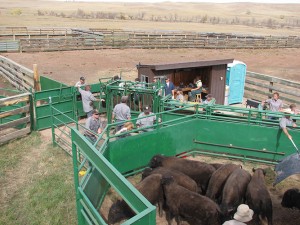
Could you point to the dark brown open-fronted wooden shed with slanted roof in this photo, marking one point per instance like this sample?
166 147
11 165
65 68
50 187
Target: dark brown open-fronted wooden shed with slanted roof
211 72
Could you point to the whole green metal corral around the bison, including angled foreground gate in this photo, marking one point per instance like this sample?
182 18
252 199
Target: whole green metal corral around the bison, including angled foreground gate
248 136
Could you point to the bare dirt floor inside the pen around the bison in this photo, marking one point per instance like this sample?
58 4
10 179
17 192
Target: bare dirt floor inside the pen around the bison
281 216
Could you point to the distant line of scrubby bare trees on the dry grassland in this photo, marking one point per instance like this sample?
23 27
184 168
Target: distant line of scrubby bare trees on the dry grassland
281 22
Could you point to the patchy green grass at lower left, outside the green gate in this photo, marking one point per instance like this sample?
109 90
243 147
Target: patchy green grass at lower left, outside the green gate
47 195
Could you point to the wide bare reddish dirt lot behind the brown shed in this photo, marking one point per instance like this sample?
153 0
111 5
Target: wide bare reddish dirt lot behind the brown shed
67 67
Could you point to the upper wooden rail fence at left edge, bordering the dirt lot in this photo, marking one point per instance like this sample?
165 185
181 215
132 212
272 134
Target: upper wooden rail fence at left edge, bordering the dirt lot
19 76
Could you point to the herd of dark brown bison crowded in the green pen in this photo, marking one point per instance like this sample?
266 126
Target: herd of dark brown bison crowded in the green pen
200 193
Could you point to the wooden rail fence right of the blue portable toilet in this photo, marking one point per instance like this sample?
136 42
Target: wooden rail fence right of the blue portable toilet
260 87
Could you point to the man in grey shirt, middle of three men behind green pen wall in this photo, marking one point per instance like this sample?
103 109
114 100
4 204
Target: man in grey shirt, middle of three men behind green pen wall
121 112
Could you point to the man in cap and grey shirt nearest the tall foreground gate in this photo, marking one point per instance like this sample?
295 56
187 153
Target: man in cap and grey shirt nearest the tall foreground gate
93 126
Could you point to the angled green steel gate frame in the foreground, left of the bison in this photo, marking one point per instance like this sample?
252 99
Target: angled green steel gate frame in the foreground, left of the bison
86 211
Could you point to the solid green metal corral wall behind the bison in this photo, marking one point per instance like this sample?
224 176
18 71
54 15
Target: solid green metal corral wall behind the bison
201 134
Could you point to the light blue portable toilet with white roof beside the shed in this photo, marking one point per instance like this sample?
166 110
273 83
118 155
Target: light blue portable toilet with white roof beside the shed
235 80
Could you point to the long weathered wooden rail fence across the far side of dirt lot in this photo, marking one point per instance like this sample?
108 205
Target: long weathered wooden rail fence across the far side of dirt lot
55 39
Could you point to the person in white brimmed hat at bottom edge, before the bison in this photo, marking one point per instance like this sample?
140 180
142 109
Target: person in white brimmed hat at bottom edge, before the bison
243 214
